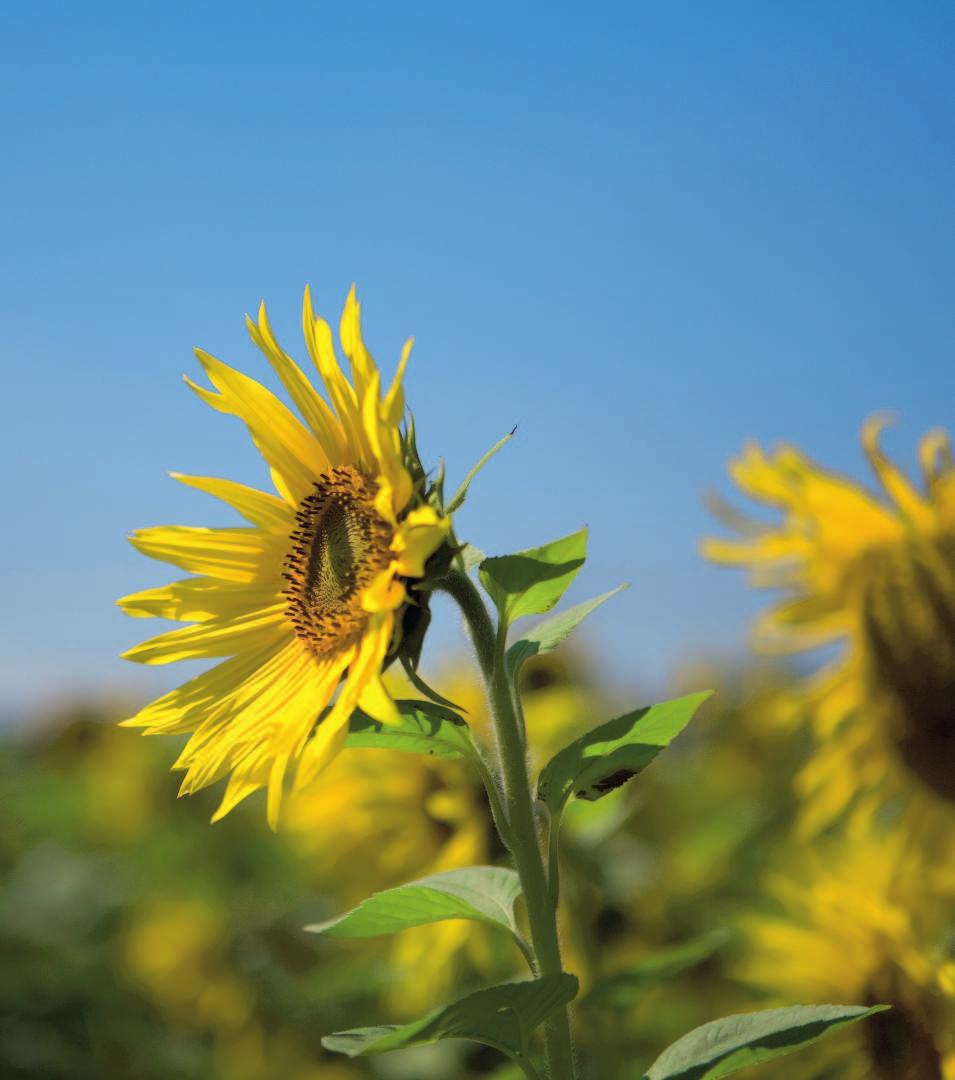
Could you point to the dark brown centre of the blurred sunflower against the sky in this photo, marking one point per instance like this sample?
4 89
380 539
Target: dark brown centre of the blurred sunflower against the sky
908 620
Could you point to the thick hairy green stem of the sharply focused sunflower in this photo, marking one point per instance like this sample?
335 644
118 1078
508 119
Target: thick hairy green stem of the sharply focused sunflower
519 809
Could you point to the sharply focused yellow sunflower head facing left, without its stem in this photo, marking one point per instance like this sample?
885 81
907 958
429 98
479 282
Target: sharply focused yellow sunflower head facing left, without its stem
312 598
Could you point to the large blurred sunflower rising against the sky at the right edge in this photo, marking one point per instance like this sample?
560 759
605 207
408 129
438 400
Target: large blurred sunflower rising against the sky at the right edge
877 574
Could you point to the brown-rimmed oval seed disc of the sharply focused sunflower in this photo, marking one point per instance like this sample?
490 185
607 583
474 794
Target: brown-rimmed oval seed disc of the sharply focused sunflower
341 546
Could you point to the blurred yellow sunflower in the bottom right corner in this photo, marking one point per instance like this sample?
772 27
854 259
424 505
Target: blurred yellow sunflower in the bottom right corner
867 919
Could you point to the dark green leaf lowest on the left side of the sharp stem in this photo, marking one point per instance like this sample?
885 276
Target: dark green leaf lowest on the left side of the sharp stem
500 1017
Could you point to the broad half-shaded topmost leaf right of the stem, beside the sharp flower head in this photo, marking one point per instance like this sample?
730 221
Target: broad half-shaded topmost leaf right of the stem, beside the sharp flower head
531 583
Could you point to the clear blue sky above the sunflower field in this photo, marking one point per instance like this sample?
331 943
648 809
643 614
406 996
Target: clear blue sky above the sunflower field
643 233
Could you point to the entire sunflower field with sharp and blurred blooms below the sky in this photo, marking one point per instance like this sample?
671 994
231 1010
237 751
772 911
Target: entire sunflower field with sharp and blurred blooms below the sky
375 877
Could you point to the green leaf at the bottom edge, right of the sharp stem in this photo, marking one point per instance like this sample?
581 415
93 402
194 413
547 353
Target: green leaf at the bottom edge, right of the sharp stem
735 1043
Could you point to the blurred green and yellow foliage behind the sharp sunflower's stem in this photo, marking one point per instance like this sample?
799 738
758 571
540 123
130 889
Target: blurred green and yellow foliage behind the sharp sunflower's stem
139 941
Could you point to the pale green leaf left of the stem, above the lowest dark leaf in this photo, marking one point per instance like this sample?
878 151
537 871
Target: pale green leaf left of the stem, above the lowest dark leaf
482 894
